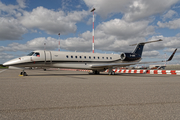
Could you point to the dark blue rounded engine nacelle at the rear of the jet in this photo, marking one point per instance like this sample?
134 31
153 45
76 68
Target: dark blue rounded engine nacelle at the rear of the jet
129 57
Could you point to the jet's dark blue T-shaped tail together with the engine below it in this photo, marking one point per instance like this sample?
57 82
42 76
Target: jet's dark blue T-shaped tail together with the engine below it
137 53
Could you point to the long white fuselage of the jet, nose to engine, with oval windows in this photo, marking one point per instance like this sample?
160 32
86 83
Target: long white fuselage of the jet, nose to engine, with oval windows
58 59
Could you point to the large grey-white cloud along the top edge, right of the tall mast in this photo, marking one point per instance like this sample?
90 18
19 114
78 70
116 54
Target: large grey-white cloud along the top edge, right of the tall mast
132 10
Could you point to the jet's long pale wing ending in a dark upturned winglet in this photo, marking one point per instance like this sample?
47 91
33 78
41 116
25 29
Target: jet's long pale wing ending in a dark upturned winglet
108 65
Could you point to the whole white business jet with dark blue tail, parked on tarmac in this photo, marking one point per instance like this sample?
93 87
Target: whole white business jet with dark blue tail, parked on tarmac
77 60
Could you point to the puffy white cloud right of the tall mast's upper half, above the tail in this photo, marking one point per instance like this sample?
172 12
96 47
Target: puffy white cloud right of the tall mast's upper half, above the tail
126 30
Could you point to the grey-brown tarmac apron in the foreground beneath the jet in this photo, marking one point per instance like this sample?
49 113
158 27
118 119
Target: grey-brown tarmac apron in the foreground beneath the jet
74 95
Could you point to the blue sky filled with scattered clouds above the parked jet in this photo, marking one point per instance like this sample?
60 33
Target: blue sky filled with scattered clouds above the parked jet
25 25
